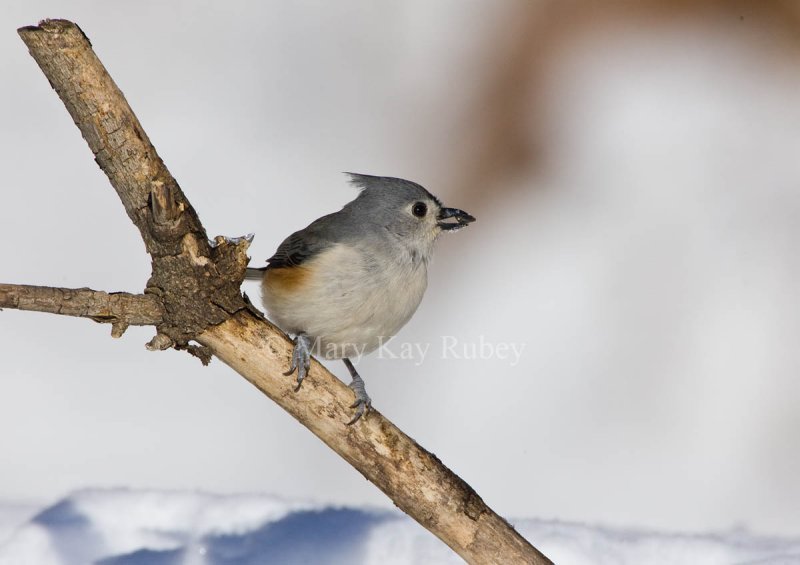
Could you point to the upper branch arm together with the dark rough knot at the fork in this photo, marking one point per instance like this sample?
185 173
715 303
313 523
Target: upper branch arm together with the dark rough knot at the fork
186 267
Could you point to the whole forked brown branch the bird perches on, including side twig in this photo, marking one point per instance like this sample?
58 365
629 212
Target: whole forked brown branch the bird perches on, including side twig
193 294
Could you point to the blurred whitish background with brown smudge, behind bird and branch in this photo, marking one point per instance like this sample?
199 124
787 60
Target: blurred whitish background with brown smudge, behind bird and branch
635 177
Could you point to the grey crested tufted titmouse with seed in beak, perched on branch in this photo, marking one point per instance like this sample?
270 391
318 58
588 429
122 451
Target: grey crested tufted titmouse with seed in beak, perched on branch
352 279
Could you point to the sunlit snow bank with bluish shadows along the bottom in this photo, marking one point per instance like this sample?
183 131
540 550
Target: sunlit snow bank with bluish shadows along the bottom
137 527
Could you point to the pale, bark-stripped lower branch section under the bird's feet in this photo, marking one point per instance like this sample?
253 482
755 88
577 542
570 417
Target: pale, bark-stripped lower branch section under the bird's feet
415 479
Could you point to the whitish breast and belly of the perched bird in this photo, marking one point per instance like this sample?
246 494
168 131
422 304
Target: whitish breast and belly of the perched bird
352 300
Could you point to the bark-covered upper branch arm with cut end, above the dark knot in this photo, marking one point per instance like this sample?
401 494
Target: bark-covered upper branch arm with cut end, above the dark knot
117 140
